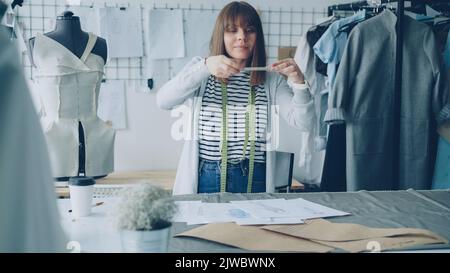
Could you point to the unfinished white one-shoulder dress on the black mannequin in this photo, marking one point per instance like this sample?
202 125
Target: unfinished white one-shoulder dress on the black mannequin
68 88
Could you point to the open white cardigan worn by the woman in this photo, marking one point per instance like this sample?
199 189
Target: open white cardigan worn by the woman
187 89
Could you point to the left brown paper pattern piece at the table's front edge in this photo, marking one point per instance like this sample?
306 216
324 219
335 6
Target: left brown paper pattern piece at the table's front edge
253 238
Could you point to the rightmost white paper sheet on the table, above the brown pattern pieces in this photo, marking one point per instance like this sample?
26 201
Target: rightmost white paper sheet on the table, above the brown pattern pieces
308 210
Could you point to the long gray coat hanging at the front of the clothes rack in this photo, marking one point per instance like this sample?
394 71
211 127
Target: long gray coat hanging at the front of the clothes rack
363 96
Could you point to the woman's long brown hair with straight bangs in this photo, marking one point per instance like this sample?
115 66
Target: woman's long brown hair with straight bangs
248 17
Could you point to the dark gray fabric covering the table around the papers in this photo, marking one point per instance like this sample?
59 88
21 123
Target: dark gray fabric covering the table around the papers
380 209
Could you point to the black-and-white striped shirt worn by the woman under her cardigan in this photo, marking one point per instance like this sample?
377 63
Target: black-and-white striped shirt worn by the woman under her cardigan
238 90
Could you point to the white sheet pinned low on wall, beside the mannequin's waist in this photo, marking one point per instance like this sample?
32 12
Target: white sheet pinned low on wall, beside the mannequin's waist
112 104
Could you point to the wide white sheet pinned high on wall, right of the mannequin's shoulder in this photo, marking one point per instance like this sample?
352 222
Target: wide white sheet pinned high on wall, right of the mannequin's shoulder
122 29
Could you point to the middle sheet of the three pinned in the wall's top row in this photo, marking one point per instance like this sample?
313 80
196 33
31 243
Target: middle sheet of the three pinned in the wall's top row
165 35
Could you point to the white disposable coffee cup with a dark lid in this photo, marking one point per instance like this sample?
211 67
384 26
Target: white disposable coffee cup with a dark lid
81 193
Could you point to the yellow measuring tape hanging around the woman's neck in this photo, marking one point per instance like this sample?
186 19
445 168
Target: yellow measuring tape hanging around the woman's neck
250 126
